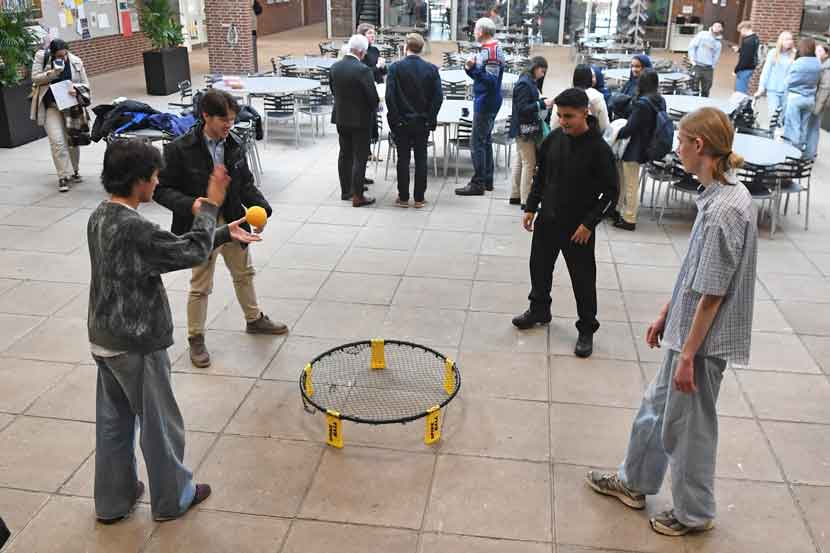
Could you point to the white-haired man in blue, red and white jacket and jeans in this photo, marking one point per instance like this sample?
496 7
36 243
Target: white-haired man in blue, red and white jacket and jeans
486 69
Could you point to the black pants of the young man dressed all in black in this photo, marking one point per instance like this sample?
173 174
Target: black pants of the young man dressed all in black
550 238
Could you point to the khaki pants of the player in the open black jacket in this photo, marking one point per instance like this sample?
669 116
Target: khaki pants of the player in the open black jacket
238 261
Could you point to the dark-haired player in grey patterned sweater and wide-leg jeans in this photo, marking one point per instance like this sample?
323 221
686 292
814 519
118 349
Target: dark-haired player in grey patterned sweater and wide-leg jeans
130 328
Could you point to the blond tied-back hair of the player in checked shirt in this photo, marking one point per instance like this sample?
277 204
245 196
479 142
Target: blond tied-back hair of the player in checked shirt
713 127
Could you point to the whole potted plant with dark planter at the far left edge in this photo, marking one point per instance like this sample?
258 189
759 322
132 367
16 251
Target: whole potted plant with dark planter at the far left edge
18 44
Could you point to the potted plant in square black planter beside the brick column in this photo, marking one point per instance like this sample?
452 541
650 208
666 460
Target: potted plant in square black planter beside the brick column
167 64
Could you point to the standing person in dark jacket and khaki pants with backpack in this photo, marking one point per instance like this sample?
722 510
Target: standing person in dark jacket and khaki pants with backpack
640 128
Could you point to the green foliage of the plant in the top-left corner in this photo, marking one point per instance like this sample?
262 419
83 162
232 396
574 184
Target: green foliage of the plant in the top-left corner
18 44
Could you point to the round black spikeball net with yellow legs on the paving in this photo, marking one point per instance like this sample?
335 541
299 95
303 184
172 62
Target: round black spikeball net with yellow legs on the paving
379 382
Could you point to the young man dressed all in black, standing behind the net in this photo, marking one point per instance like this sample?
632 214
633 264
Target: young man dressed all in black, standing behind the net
576 183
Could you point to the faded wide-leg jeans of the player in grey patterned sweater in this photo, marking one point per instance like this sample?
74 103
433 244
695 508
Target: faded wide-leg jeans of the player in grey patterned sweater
135 388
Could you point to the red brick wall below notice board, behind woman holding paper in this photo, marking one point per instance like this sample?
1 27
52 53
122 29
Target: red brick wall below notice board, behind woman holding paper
110 53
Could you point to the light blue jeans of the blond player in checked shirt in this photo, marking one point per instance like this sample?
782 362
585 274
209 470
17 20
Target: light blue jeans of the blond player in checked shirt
678 429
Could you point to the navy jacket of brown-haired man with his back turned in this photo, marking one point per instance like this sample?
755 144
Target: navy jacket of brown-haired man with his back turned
413 93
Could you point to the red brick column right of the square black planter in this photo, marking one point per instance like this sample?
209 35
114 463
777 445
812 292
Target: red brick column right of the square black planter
228 19
